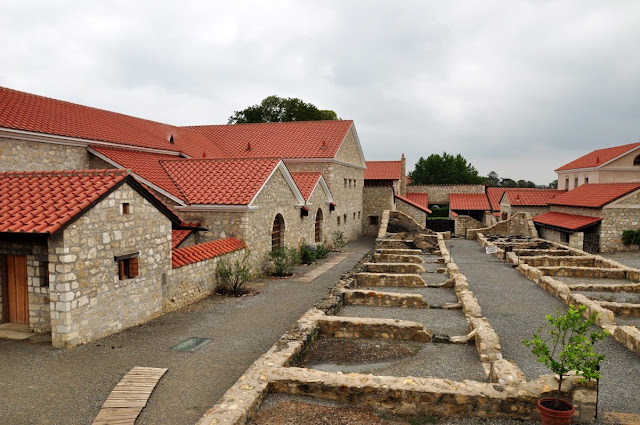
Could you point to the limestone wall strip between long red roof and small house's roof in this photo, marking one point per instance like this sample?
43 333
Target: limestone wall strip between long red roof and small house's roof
22 155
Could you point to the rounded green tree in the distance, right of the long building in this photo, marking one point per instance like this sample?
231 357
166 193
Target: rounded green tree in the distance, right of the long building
445 169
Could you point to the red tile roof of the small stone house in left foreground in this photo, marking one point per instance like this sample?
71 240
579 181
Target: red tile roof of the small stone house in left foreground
45 201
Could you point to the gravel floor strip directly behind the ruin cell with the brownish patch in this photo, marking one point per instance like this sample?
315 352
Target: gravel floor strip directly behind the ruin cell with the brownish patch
448 322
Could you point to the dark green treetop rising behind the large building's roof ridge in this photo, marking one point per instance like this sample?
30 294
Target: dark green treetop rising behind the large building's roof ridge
279 109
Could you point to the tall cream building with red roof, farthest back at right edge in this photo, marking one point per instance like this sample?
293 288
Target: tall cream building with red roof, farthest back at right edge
608 165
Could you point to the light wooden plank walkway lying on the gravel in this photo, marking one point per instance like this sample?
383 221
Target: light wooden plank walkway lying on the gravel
129 396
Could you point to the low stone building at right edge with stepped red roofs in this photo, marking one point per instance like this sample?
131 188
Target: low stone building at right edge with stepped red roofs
592 217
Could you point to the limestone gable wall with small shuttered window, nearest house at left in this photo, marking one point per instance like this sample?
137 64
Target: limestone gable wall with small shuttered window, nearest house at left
88 301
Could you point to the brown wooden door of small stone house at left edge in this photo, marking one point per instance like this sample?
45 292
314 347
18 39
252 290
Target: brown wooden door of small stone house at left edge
16 295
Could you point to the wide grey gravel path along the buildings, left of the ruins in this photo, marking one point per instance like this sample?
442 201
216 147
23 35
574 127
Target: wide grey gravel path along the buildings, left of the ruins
43 385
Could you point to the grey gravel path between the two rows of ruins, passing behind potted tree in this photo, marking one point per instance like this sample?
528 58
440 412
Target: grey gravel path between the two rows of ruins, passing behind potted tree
516 307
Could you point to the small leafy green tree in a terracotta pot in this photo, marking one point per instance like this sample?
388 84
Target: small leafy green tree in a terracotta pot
568 346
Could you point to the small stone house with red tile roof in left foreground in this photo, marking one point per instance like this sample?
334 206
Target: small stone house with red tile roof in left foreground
75 246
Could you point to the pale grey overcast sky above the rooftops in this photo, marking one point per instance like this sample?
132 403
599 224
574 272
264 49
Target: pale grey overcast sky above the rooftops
519 87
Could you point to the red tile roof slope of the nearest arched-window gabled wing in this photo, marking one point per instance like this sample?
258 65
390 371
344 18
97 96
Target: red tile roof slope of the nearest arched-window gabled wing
220 182
